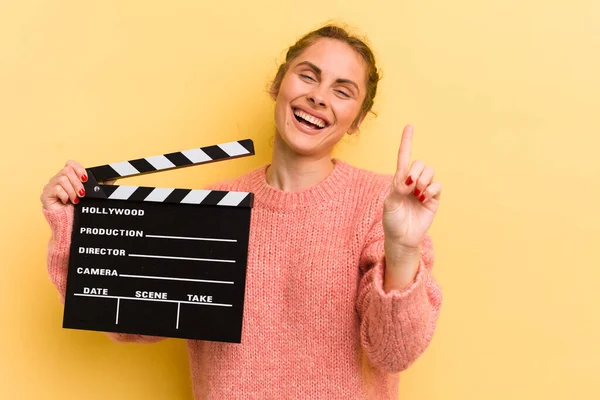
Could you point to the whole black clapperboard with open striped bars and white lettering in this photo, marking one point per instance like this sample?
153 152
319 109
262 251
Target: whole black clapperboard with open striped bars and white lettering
160 261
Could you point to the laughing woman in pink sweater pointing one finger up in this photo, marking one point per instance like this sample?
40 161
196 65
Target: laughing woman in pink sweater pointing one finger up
339 293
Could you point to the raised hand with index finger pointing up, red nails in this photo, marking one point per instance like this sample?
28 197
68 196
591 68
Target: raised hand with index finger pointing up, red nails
414 198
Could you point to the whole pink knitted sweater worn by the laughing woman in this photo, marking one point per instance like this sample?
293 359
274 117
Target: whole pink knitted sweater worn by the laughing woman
317 322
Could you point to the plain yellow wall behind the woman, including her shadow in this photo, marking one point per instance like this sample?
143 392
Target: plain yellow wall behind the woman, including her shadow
504 97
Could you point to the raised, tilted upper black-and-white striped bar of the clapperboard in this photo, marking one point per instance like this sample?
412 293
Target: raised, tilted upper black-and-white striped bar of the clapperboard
177 159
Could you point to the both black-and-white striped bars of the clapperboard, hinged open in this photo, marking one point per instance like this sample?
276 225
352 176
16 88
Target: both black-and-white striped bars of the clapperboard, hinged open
186 158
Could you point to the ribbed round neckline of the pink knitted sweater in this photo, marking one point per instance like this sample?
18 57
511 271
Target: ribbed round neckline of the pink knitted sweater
270 197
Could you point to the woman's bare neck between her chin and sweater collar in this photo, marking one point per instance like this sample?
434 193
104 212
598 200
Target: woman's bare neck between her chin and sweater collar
292 172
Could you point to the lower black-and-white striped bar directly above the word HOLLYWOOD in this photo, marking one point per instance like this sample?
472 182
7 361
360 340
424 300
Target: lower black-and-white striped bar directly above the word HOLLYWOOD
179 196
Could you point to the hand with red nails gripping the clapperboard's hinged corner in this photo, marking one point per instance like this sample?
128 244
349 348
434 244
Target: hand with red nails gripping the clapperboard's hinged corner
64 186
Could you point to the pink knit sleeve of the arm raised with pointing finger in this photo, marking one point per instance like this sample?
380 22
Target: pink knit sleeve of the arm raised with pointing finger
395 327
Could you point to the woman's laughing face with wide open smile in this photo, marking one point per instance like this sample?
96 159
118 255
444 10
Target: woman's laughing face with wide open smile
320 97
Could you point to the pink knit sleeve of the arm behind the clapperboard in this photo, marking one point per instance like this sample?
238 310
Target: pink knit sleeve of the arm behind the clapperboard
61 226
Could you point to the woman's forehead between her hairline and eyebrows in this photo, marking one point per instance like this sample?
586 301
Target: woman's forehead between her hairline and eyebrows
336 59
